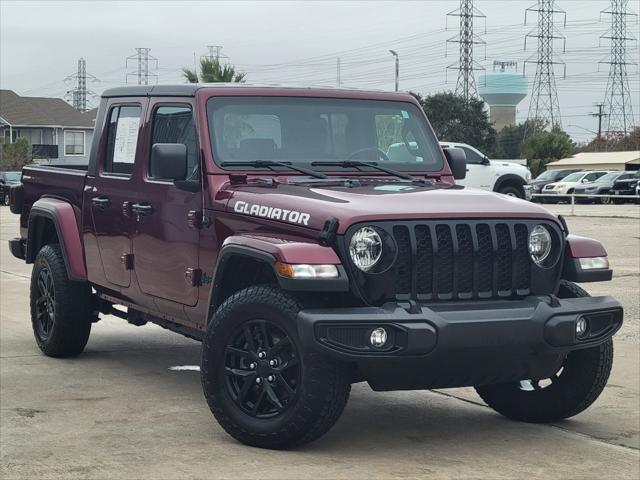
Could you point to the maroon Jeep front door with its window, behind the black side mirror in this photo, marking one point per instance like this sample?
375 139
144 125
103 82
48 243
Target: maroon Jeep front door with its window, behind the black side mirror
166 238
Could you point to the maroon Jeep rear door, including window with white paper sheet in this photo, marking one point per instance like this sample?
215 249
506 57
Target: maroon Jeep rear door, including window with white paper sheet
108 192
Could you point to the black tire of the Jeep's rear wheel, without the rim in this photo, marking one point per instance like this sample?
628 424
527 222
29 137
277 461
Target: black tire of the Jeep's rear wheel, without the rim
71 325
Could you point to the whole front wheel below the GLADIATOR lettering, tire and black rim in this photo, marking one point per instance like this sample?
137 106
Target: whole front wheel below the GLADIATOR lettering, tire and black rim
262 386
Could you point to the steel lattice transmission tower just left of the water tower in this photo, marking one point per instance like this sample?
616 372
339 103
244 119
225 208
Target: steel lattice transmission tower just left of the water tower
466 84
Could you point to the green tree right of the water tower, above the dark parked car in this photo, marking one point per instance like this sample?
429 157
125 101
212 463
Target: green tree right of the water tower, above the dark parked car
545 147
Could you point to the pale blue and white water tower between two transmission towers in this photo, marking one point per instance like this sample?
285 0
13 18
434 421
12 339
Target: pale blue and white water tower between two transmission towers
503 89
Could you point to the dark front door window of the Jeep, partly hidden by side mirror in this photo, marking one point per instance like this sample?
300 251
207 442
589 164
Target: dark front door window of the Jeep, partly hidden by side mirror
174 124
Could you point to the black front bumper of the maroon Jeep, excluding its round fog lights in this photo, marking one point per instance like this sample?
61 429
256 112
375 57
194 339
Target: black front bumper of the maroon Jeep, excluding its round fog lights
453 344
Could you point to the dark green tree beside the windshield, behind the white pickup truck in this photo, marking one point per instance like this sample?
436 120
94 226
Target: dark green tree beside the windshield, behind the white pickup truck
455 120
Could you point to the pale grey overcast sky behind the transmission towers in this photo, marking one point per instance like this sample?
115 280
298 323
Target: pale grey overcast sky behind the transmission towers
299 42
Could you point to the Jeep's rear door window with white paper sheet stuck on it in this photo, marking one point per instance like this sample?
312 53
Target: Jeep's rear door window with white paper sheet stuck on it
122 139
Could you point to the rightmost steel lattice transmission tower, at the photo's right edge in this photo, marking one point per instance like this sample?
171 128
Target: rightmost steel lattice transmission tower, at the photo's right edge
618 96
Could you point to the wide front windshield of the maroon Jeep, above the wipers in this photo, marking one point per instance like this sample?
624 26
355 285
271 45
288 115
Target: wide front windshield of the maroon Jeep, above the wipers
306 130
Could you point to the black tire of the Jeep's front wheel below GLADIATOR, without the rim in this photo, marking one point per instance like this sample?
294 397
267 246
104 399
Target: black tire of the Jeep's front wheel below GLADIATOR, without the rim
324 384
